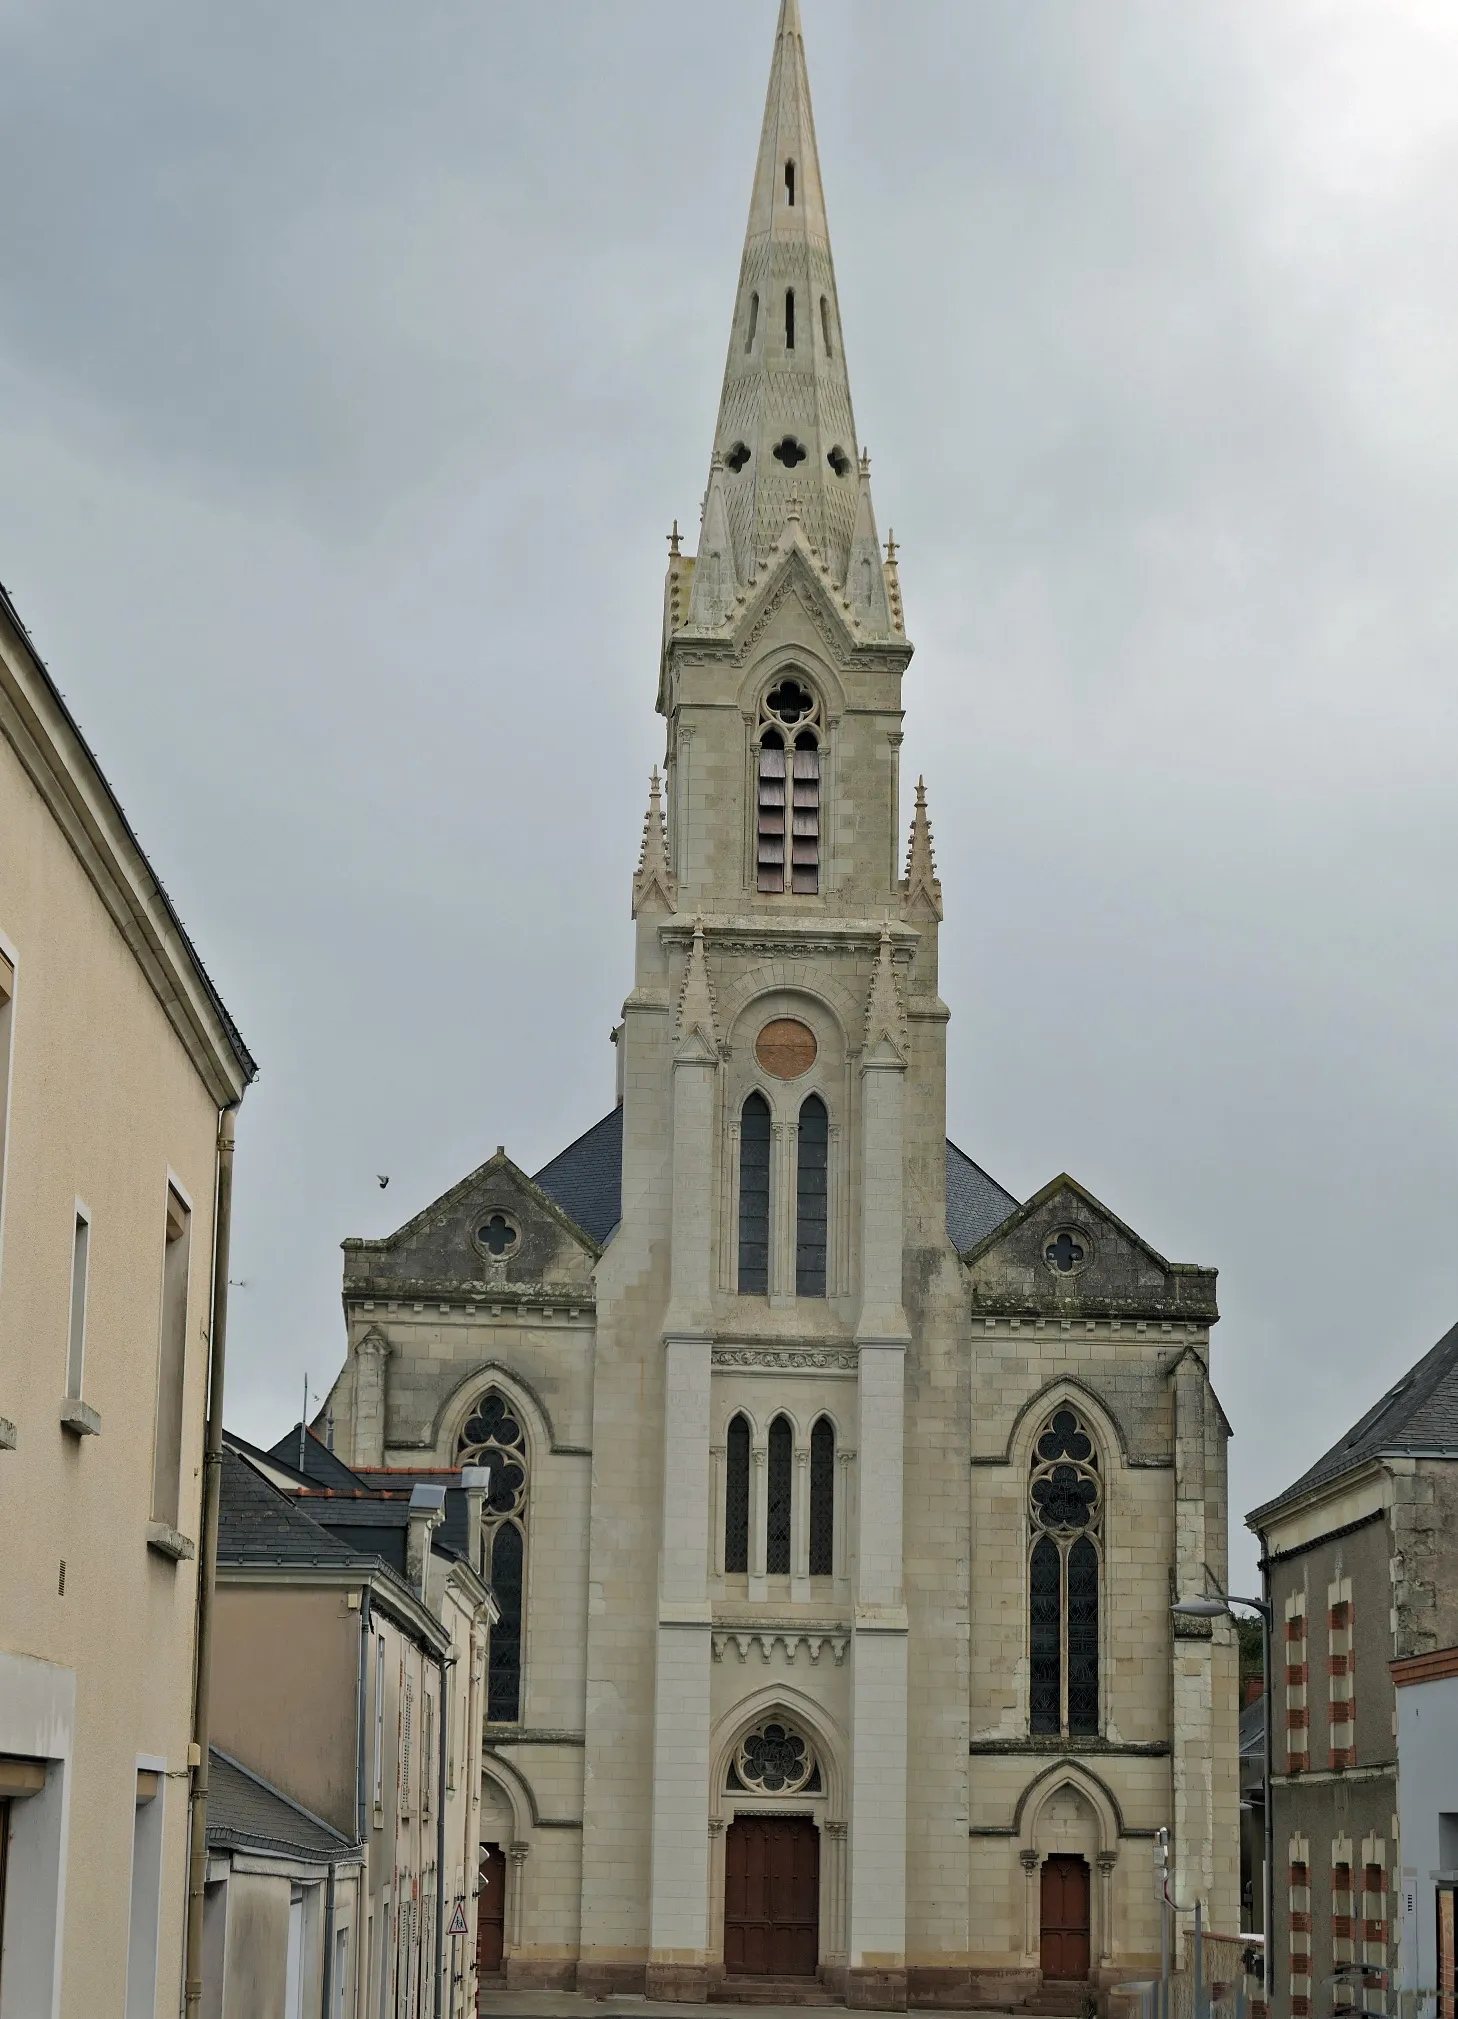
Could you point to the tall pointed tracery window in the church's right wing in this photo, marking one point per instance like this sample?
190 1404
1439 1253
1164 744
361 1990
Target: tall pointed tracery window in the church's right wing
1065 1513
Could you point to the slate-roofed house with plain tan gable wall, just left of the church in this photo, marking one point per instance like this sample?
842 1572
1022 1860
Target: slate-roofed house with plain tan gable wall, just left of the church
350 1659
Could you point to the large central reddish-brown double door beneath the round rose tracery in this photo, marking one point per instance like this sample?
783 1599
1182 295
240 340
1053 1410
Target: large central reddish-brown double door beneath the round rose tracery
772 1897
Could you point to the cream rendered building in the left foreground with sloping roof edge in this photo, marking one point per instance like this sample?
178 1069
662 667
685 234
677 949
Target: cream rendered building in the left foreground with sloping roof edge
116 1065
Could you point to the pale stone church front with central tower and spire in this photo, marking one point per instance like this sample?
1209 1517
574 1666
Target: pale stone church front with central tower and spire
837 1497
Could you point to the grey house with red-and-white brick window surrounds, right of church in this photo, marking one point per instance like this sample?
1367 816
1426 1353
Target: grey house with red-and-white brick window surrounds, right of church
1360 1572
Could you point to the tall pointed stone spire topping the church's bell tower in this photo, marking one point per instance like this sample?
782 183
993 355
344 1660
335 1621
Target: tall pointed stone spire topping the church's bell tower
785 419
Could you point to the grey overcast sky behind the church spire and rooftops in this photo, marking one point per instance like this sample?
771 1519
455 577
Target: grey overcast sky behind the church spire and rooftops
354 362
